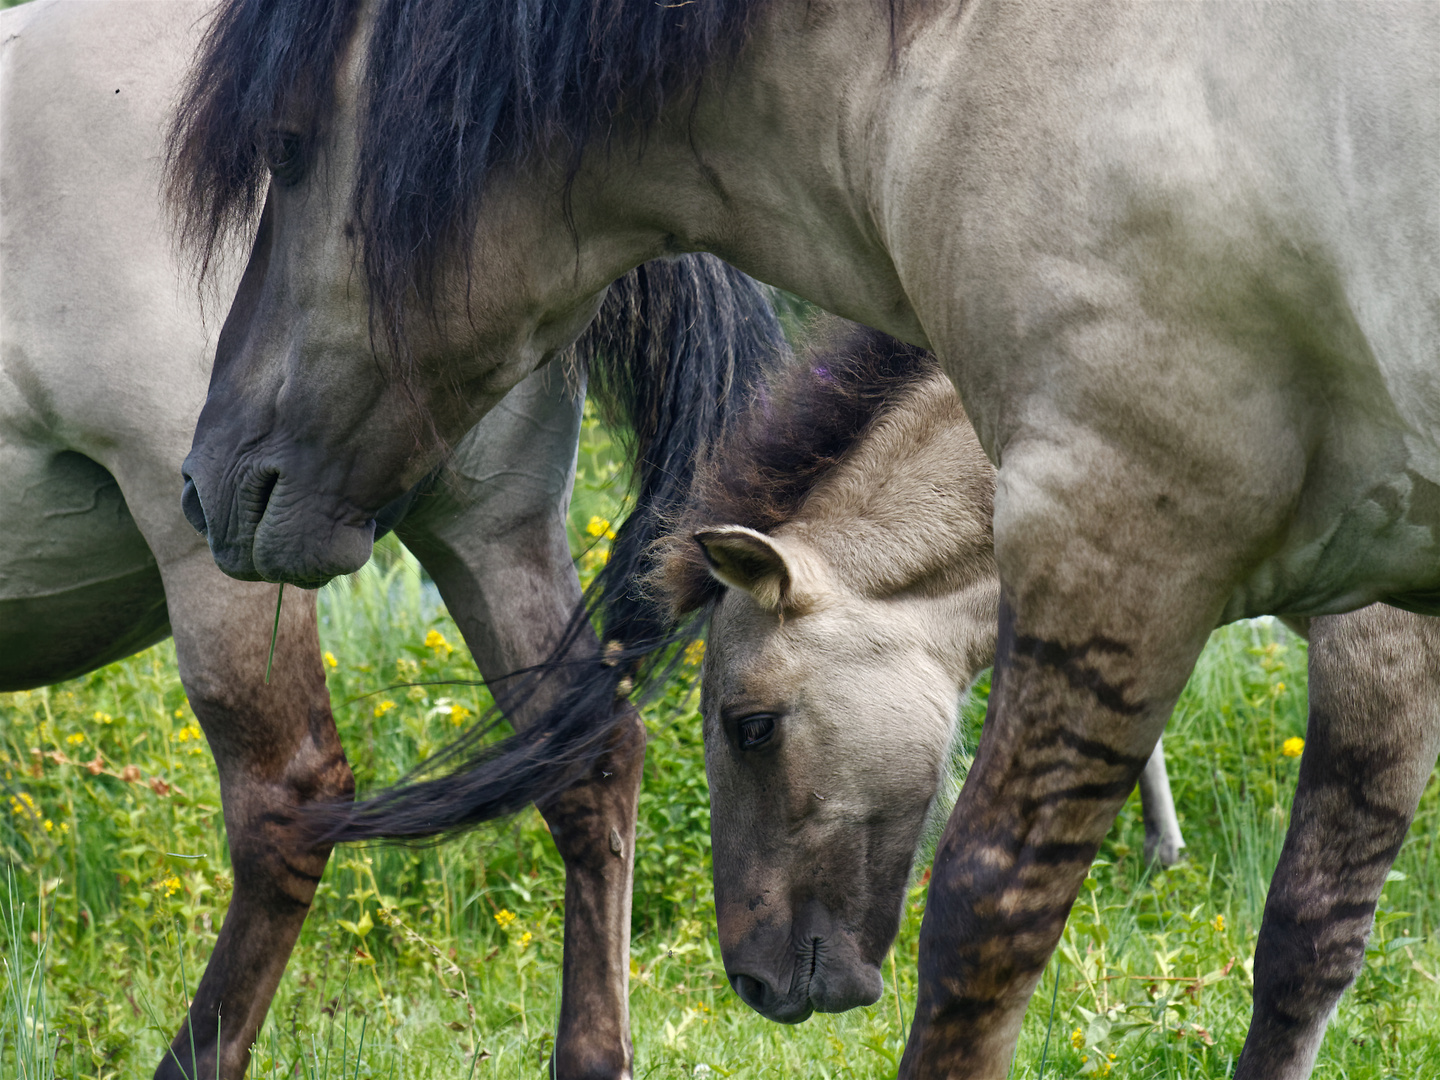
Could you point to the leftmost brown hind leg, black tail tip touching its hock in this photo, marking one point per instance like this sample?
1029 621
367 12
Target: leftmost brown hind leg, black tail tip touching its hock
276 748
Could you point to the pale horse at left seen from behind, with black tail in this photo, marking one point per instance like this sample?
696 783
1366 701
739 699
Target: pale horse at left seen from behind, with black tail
106 359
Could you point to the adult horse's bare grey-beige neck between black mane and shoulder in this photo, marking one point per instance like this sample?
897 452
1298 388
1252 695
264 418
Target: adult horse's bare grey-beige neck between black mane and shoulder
770 168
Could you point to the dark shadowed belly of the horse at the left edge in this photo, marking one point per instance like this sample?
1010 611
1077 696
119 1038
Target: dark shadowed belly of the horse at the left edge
78 584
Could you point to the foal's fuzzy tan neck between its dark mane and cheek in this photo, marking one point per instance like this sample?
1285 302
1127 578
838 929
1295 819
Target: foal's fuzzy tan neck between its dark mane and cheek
906 518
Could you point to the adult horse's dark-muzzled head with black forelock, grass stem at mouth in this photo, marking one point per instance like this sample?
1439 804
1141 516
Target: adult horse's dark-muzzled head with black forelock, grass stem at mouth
423 238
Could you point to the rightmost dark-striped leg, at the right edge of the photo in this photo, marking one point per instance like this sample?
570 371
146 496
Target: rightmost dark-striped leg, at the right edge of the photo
1374 732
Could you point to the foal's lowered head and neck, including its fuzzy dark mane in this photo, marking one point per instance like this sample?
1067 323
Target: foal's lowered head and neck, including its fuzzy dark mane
840 541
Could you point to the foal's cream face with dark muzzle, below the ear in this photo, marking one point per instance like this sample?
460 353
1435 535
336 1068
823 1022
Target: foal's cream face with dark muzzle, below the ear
827 732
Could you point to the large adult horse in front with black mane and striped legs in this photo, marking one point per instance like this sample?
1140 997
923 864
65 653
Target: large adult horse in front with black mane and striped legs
1179 260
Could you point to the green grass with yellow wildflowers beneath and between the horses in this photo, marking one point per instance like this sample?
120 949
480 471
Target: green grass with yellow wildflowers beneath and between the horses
446 963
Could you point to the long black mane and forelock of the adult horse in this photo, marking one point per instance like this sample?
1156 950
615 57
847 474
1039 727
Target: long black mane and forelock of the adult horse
453 90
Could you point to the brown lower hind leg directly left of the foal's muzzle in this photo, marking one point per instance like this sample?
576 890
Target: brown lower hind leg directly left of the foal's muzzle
594 830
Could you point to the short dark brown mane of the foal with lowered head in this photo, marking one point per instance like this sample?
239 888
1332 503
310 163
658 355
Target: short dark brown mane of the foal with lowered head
798 427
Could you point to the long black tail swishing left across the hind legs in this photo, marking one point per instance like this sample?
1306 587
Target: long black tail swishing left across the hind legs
673 356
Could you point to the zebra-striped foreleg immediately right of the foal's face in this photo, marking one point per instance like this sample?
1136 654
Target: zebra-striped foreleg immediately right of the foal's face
1069 731
